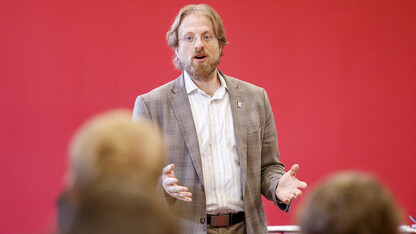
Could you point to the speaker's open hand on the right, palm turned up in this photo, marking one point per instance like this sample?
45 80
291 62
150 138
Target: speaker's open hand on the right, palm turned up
289 186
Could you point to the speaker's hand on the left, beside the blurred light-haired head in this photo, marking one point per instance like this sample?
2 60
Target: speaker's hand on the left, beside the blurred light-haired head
169 183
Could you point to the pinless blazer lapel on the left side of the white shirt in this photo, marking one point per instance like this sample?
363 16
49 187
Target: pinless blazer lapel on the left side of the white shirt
180 104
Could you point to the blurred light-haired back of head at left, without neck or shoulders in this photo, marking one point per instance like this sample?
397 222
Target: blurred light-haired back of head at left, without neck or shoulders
112 151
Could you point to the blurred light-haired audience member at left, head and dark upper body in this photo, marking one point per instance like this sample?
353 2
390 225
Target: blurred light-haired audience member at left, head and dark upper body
114 168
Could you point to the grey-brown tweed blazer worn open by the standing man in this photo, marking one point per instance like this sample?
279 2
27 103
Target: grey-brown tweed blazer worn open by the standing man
256 138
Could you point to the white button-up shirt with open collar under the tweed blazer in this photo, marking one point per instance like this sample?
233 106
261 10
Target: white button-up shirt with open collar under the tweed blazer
220 163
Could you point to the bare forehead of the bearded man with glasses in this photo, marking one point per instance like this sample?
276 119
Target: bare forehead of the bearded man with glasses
195 23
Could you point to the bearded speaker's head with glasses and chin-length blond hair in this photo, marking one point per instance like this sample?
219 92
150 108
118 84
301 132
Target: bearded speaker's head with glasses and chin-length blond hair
197 36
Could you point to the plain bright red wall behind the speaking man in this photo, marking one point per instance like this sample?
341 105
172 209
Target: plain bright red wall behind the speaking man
341 77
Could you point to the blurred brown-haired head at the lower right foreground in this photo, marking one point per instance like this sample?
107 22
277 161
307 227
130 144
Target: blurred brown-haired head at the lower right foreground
350 203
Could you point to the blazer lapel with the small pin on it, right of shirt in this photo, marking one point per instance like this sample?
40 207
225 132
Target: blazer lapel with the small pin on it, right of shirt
240 125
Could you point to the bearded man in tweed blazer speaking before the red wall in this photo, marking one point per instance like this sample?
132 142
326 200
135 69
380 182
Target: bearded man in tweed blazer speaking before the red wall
220 135
